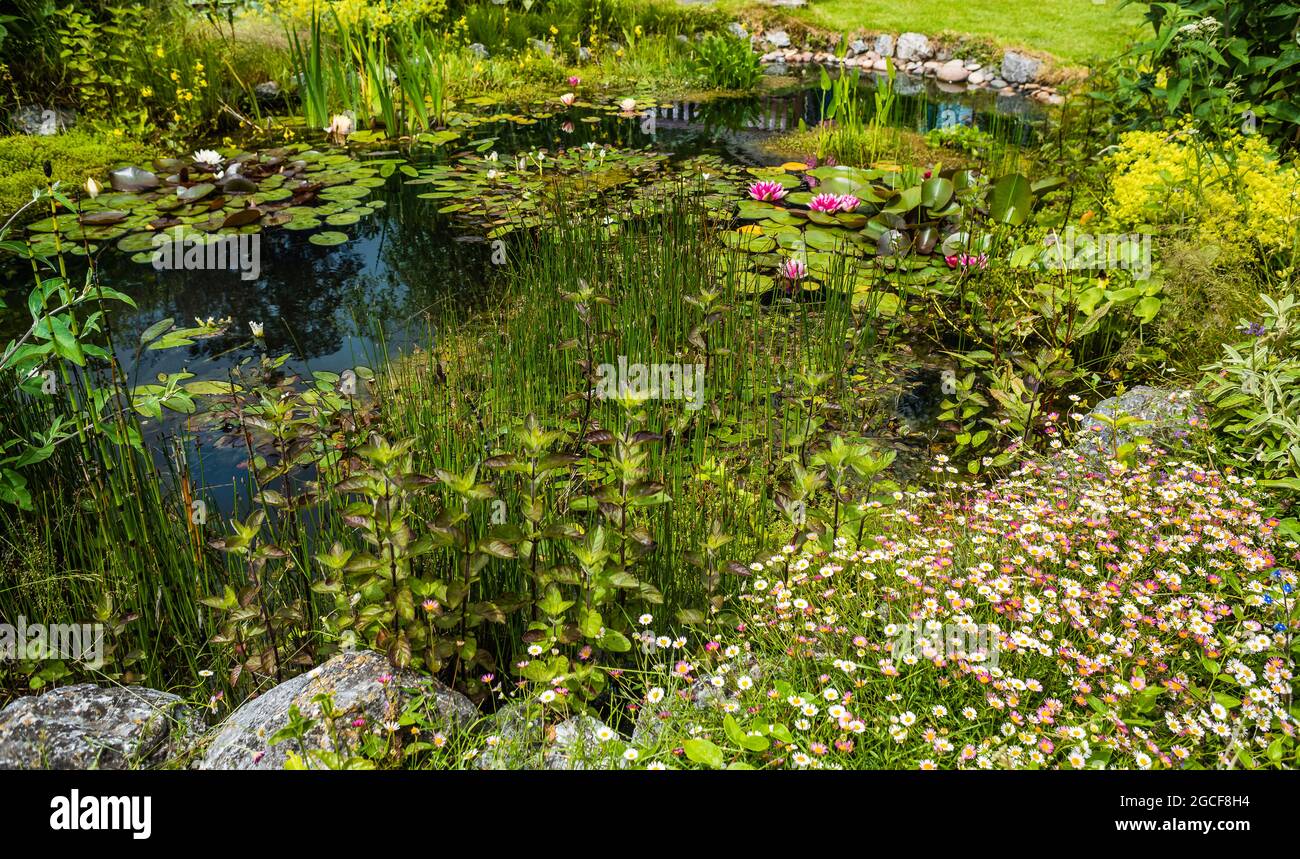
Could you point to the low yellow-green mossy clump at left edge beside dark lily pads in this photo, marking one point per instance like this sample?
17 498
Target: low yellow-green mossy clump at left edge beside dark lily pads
72 158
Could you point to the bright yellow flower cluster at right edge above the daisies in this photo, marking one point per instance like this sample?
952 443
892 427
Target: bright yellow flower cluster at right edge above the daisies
1233 194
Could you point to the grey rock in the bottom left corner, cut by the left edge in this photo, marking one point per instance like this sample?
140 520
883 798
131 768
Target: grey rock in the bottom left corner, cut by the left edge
89 727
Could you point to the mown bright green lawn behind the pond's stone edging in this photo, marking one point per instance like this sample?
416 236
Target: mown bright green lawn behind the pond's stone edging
1073 31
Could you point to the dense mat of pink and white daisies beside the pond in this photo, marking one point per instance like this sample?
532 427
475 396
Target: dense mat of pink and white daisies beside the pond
1142 615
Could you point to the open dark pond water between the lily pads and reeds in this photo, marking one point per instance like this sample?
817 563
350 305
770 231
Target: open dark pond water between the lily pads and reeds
333 307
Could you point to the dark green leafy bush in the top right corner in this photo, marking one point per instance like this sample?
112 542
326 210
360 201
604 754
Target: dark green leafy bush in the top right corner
1216 59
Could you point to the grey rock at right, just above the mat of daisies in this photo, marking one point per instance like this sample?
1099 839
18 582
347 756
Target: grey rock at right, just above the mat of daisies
1168 415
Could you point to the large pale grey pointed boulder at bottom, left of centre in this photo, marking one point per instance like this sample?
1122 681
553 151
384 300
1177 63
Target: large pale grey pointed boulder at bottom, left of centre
354 680
